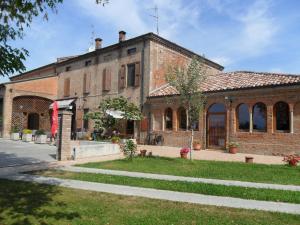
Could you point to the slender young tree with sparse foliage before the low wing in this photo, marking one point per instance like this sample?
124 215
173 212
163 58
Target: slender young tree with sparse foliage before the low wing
187 81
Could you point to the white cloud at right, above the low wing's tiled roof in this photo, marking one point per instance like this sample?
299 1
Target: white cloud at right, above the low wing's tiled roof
252 32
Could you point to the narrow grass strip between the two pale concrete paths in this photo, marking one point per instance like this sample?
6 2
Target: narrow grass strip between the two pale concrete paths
200 188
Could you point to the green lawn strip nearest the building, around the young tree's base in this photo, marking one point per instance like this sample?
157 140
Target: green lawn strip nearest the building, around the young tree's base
278 174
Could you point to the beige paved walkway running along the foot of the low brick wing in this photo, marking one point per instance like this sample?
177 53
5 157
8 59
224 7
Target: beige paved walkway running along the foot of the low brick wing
216 155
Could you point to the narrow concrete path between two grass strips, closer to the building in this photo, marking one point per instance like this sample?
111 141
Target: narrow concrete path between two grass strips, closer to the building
181 178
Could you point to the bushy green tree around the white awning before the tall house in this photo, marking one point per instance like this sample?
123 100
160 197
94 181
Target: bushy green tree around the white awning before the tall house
104 121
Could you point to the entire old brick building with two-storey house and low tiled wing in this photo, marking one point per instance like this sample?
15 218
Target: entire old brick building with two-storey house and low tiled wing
259 110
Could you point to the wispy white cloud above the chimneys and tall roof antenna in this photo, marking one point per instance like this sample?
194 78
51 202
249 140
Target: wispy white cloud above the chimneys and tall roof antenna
135 16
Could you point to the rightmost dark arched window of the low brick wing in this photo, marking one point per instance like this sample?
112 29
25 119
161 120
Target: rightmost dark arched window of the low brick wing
282 116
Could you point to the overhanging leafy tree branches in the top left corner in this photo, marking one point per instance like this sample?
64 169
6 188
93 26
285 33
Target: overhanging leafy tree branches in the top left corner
15 15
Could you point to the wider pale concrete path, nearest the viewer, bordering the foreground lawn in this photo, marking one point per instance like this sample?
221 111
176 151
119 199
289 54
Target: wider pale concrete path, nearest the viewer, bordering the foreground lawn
164 195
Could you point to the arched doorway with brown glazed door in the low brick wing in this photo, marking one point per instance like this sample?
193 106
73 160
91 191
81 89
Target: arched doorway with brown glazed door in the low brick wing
216 126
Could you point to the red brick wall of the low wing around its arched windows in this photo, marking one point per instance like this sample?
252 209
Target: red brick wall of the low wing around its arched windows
269 142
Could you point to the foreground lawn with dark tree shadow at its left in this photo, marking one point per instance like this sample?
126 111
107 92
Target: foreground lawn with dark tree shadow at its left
28 203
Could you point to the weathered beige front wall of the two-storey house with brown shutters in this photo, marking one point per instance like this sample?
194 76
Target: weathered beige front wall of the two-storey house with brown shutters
109 61
